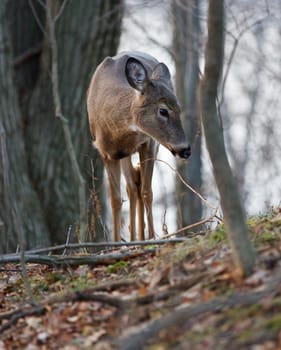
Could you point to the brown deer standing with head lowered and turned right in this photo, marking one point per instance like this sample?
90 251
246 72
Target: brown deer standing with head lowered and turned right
132 108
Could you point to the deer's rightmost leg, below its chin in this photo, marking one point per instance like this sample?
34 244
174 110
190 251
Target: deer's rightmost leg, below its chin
147 153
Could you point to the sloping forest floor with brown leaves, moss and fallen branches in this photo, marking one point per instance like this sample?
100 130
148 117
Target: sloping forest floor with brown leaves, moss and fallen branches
174 296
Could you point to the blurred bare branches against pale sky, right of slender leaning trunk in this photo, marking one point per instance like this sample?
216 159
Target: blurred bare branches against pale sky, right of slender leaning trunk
252 78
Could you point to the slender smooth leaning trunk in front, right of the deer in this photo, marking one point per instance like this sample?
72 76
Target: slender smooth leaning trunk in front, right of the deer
232 208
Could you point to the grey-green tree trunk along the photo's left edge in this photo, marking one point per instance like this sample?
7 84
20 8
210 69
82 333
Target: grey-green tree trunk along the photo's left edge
16 191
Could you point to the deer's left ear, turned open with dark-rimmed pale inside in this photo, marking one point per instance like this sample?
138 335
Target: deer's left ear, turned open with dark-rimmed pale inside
136 74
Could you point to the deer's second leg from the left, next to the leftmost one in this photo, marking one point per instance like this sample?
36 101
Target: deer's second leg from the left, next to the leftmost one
132 176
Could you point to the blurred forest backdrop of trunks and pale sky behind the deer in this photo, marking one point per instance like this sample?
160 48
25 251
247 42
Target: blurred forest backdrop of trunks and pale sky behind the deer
41 191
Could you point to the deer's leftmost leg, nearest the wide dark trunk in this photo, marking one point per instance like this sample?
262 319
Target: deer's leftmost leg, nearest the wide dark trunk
113 173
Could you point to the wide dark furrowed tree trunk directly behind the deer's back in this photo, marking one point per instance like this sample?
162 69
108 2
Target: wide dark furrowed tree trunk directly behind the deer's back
86 32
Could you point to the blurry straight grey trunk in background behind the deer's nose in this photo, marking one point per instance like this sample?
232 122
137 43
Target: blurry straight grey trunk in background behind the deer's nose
186 47
